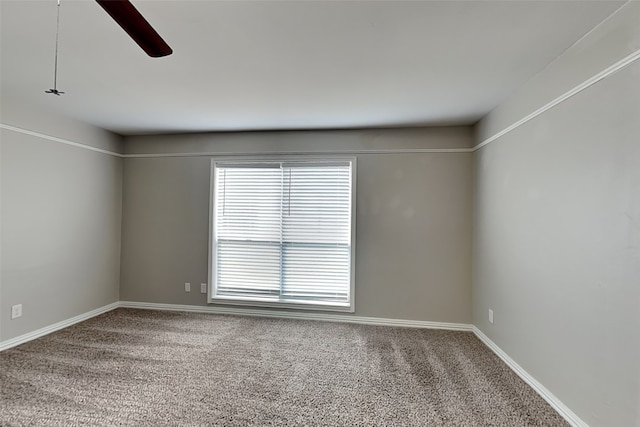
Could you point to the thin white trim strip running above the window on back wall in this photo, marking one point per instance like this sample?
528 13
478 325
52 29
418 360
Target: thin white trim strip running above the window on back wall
301 153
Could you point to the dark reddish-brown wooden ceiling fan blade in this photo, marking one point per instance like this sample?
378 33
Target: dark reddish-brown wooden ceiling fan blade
128 17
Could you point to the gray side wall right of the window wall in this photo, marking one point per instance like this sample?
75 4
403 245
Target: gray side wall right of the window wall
557 232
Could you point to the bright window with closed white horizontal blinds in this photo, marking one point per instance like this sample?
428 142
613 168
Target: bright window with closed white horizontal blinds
282 233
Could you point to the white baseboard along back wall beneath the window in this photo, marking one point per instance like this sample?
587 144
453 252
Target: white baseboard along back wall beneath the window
327 317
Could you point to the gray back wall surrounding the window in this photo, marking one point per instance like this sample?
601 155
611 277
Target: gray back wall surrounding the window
413 248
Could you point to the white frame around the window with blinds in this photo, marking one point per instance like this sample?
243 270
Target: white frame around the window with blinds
212 298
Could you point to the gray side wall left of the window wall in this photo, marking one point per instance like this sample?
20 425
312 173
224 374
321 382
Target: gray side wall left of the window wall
60 220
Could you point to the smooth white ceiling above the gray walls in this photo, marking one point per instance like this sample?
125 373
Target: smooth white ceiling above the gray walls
240 65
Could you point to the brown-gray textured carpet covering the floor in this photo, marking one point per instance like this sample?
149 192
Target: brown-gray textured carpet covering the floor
151 368
